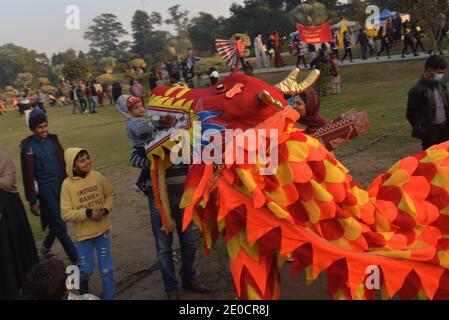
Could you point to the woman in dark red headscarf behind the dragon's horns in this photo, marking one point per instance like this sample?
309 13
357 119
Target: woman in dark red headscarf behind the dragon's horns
308 106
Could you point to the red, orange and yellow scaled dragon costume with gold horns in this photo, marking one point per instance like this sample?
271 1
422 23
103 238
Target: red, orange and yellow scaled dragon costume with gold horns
310 210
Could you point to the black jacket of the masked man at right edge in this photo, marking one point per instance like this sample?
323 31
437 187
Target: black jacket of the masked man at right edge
421 106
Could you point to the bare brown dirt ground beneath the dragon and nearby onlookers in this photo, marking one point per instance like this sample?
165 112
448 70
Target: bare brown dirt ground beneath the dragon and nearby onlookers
133 248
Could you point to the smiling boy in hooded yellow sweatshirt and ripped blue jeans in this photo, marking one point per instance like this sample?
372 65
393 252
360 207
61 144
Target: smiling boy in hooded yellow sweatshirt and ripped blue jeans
86 200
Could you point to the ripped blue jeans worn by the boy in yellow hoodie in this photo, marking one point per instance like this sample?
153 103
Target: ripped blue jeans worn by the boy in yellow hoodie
87 263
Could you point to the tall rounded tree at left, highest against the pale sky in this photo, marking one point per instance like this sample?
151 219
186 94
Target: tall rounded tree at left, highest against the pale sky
105 34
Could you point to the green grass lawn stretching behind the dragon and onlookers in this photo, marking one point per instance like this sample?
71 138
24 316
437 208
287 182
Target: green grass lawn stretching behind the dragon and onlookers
379 89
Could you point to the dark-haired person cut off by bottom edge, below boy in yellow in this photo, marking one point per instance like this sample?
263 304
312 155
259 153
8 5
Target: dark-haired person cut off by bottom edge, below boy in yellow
47 281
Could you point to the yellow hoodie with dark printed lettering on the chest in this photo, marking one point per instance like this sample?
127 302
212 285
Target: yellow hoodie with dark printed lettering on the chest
79 194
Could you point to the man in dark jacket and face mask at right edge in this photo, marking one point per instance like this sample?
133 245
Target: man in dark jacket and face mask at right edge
427 109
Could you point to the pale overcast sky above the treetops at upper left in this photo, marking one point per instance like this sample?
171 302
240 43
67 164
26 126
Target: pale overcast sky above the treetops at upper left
40 24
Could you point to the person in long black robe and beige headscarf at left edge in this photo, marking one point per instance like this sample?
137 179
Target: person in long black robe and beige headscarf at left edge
17 247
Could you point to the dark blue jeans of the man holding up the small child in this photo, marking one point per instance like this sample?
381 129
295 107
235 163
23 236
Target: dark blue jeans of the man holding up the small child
164 243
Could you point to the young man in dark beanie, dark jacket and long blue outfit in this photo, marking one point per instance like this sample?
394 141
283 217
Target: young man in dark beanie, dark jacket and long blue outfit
43 165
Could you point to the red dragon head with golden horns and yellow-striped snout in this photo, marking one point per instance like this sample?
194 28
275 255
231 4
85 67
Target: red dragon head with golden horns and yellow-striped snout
236 102
